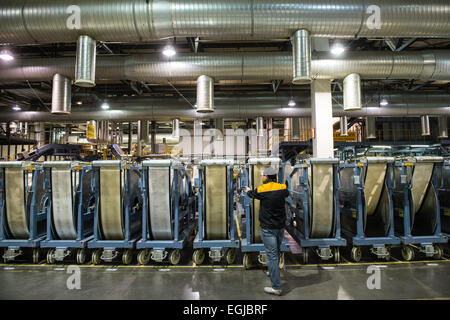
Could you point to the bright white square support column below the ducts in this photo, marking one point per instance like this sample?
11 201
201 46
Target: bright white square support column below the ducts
322 119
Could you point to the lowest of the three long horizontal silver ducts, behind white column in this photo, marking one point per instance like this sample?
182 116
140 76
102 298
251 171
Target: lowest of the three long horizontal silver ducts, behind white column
412 104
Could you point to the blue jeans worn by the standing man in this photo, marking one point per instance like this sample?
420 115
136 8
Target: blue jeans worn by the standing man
272 239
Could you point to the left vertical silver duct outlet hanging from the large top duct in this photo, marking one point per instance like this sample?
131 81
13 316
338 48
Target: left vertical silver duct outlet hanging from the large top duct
85 62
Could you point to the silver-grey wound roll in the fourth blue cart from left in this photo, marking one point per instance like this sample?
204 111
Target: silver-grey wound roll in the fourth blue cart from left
160 188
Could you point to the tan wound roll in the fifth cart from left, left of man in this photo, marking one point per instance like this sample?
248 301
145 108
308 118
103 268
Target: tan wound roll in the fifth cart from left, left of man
216 202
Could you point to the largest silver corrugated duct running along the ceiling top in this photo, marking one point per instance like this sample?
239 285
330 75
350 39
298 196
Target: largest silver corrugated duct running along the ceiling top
30 22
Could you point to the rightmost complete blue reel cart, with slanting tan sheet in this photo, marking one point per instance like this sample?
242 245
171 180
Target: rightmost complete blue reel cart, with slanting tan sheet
416 206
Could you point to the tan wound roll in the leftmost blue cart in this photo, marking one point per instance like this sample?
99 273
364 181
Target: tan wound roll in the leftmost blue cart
16 215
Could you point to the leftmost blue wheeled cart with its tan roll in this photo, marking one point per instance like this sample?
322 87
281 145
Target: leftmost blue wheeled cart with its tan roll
23 202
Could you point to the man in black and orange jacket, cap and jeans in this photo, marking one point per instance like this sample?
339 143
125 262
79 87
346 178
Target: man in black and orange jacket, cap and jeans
272 218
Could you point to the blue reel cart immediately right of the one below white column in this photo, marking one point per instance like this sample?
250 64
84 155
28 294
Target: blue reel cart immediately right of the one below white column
366 205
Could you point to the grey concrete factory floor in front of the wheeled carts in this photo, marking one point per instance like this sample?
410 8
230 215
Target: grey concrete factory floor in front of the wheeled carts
399 280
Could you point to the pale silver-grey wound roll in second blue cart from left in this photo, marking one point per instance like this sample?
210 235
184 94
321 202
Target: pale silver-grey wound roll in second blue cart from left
62 200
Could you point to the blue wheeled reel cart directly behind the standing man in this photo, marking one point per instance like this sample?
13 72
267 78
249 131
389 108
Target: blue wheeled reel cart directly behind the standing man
252 243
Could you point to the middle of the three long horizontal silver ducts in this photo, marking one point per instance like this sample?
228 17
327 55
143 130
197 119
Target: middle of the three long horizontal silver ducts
242 66
